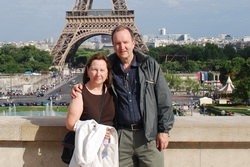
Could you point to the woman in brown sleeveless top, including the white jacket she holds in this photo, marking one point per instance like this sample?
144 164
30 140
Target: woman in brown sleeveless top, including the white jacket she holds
94 103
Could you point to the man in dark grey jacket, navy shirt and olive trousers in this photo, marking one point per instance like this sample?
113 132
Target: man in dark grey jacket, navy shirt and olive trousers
144 114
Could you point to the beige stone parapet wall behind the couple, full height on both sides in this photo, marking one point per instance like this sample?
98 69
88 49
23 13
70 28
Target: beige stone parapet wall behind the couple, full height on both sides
195 142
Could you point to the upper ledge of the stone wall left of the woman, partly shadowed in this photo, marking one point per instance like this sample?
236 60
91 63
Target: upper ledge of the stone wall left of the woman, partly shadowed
32 128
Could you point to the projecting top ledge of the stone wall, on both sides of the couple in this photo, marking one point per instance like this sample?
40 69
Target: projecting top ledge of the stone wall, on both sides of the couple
186 129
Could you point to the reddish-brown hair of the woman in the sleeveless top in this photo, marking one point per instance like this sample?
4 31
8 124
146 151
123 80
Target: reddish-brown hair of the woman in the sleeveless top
98 56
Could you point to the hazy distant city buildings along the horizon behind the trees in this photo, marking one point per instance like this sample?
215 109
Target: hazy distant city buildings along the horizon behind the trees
161 38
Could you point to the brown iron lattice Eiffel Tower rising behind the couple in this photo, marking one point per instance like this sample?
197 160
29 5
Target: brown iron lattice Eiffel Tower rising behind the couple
83 22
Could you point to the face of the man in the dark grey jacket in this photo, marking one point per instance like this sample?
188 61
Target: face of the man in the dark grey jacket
123 45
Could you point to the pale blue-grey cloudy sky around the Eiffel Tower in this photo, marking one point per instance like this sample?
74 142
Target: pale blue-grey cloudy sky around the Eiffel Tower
34 20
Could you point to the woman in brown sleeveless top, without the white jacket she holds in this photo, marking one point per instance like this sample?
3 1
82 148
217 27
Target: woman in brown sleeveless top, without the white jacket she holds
97 76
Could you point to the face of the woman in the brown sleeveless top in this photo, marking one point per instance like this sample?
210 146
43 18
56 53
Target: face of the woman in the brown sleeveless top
98 72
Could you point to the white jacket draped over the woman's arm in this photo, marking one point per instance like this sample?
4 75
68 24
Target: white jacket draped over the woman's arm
89 145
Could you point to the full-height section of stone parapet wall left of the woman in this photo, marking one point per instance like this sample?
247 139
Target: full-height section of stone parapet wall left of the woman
31 141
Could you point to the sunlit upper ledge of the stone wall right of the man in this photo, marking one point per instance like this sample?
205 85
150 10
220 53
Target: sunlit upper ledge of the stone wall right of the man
211 129
